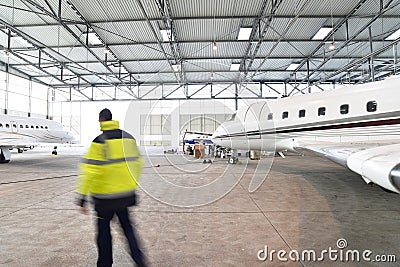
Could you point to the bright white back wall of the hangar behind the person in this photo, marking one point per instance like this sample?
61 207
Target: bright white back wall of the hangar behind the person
153 123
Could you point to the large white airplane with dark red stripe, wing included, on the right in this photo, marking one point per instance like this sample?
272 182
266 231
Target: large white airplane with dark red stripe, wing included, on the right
356 126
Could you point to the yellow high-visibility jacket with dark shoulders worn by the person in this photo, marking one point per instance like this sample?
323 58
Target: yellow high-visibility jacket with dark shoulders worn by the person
111 168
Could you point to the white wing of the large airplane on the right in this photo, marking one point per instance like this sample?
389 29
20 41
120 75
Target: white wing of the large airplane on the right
375 162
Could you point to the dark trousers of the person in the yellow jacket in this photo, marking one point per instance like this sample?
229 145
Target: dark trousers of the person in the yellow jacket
104 239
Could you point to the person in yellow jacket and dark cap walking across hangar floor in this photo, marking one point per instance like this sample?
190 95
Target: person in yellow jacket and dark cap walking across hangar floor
109 174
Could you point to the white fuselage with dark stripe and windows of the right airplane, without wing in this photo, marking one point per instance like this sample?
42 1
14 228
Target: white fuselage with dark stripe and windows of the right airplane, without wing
358 113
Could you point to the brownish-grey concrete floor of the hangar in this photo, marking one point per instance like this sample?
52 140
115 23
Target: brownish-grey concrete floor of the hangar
306 203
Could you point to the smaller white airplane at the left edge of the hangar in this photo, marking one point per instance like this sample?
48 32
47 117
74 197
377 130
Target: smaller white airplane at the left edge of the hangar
21 132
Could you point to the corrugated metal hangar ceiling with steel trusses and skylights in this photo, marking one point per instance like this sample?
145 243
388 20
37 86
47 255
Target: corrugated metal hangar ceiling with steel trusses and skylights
75 45
